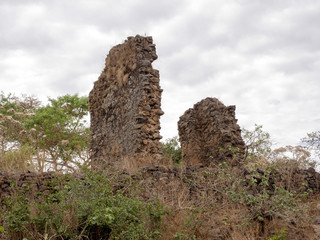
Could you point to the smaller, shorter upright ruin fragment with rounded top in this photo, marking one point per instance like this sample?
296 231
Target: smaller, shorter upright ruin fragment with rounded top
209 133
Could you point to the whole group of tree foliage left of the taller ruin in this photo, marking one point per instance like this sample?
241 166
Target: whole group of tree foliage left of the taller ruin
41 137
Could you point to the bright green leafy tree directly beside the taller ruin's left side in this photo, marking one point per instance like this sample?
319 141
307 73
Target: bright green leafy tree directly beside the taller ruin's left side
59 131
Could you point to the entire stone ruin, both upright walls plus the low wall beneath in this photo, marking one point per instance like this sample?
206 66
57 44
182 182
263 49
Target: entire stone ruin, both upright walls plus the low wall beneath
125 111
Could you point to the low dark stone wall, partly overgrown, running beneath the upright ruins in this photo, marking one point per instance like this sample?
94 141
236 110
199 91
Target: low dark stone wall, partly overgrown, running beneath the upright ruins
166 183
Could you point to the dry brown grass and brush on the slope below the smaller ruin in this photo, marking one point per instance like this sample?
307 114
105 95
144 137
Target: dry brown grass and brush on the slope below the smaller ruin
200 206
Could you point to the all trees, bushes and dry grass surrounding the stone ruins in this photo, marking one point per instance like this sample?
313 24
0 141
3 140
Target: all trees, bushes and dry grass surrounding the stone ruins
257 201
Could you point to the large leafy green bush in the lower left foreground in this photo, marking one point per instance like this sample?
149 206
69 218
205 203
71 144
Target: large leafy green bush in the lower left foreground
86 208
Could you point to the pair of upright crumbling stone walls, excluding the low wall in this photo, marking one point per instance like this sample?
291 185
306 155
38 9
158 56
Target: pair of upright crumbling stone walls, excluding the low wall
125 114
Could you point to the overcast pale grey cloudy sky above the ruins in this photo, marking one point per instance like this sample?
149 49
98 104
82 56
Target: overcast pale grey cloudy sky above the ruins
261 55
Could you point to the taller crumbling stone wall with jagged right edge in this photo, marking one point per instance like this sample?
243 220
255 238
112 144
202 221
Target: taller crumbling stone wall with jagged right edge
125 107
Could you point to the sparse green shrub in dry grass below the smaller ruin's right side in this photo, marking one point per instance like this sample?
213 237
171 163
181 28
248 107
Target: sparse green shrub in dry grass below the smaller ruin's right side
264 200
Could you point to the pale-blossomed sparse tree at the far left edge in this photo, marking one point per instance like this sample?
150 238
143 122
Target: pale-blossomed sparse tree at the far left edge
15 154
